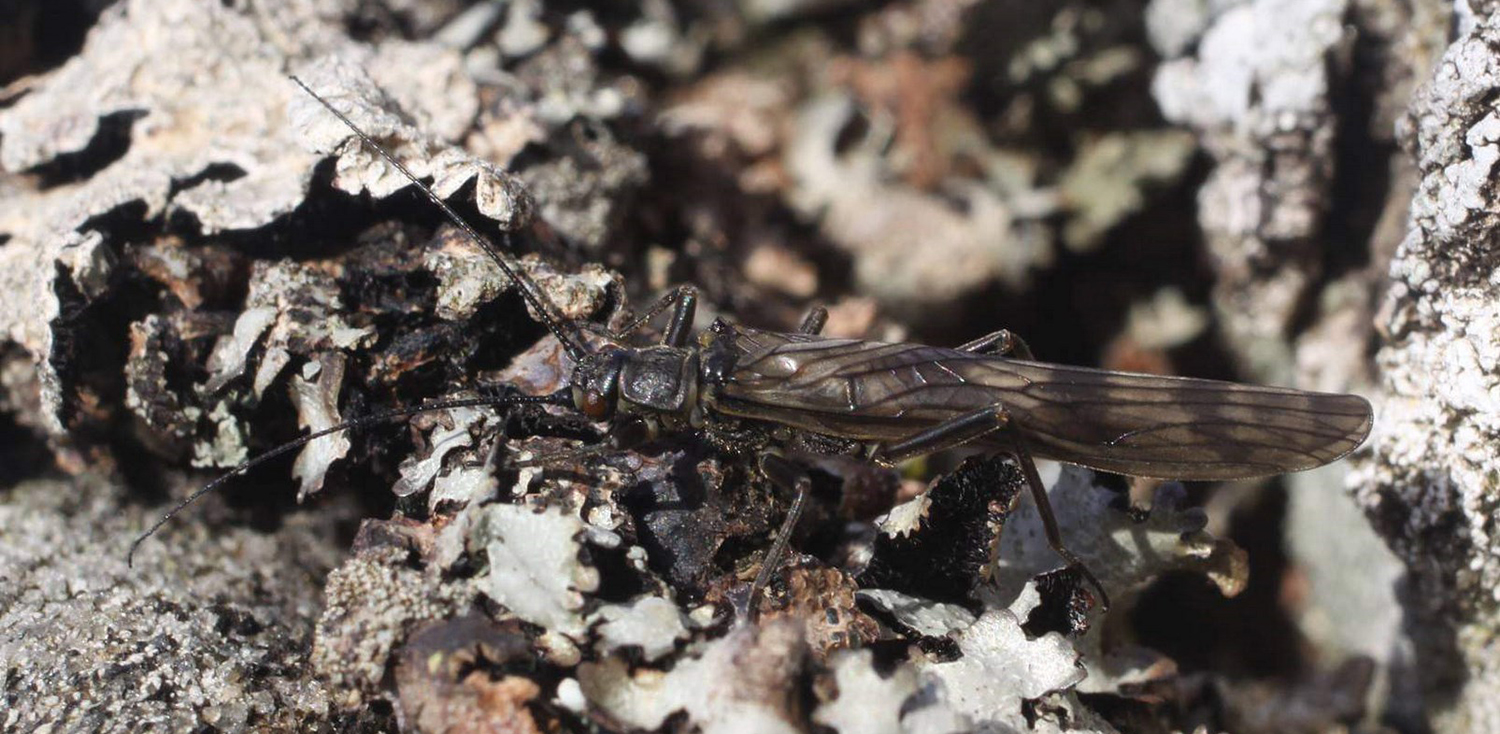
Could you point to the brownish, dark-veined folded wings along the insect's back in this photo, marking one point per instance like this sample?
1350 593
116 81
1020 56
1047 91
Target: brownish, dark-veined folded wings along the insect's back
1132 424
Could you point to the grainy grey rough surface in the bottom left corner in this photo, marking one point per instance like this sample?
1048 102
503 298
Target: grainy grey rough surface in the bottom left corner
212 630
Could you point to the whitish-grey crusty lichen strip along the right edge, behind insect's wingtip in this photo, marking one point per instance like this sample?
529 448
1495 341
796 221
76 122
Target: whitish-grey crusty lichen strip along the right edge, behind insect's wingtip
1430 486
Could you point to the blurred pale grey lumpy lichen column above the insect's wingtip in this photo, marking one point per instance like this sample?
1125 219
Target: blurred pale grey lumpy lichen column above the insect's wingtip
1258 89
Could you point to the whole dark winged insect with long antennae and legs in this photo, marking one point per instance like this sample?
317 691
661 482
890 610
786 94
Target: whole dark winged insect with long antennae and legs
896 402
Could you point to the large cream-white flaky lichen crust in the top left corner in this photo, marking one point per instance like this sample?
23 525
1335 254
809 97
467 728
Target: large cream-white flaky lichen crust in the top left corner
202 88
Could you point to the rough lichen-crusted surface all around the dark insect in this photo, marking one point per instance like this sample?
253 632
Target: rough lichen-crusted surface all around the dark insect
197 262
